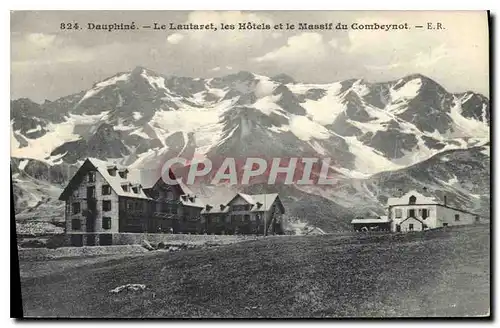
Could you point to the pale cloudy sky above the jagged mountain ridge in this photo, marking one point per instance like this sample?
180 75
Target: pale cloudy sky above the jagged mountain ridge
48 63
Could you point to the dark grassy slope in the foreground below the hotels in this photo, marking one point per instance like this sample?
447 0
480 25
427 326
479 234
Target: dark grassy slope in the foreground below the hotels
438 273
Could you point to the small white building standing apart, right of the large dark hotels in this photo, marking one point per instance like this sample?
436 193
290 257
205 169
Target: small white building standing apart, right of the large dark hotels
414 211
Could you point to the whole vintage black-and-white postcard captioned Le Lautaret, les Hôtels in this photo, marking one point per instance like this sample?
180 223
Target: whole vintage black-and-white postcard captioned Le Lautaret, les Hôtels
251 164
